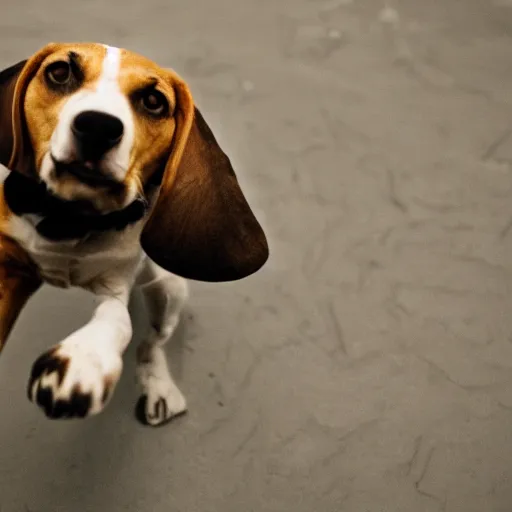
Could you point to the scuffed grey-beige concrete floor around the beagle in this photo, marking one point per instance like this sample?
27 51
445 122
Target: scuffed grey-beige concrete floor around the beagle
368 367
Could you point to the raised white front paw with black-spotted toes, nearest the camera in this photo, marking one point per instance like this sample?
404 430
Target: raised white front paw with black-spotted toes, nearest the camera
74 379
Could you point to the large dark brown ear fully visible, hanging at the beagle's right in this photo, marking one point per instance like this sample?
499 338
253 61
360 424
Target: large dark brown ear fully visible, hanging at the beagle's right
201 226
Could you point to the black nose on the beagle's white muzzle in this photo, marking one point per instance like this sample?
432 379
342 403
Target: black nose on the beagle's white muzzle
96 133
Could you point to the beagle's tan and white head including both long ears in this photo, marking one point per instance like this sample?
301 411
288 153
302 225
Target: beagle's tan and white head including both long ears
101 126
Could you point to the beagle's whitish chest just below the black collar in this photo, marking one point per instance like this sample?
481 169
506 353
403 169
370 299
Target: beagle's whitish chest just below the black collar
74 262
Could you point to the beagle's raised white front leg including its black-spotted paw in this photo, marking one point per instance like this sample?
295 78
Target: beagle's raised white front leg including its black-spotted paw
76 378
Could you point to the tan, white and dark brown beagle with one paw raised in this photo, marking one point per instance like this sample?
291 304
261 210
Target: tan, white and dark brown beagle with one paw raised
114 180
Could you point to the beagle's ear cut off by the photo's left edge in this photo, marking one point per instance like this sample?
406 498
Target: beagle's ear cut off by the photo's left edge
15 148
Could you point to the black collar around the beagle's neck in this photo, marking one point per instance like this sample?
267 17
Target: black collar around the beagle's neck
63 220
